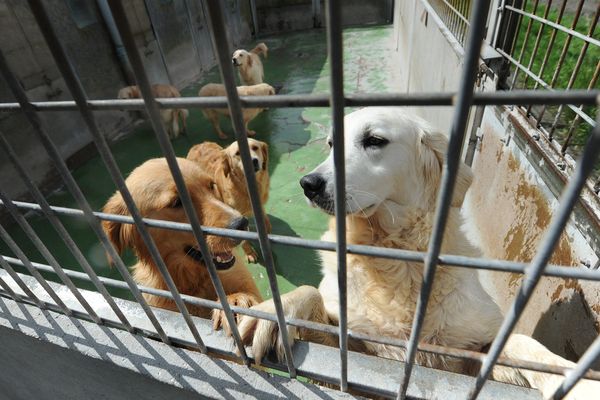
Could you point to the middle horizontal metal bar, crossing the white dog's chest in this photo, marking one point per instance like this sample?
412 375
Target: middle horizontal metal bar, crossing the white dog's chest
405 255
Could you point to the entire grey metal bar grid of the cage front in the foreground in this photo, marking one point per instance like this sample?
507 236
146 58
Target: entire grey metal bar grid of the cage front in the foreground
337 100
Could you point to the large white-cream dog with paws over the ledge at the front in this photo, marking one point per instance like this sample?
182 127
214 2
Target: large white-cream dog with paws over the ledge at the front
393 170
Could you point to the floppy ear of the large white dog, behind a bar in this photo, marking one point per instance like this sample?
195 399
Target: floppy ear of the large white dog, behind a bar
432 153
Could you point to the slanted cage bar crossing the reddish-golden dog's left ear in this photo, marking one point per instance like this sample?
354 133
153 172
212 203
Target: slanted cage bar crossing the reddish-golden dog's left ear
78 93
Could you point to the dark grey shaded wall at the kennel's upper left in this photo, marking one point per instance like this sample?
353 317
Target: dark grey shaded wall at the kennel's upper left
83 31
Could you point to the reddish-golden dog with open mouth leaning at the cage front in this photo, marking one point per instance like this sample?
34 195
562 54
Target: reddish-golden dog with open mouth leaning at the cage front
155 194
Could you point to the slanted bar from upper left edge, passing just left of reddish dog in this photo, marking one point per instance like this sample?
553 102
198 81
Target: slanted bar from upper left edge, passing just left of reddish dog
29 111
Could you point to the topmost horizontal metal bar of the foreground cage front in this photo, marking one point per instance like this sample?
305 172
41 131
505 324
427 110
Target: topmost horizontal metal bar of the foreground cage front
514 97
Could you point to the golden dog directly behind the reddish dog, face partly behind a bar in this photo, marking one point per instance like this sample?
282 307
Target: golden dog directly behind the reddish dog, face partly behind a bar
225 167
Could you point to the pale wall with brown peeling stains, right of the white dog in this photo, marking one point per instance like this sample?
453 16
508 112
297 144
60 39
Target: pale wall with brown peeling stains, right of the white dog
509 205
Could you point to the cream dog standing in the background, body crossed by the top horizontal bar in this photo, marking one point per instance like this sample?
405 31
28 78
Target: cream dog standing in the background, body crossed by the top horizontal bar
217 89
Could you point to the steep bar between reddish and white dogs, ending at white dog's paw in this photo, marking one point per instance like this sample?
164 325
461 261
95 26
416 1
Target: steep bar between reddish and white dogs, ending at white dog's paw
220 41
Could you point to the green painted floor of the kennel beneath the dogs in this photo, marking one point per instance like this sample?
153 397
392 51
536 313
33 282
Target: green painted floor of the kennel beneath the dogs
298 62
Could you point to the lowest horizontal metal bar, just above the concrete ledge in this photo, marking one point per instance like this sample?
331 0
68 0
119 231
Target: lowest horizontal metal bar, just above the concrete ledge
329 329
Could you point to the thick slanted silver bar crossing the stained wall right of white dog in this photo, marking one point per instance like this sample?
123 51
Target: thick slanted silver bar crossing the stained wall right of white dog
535 270
